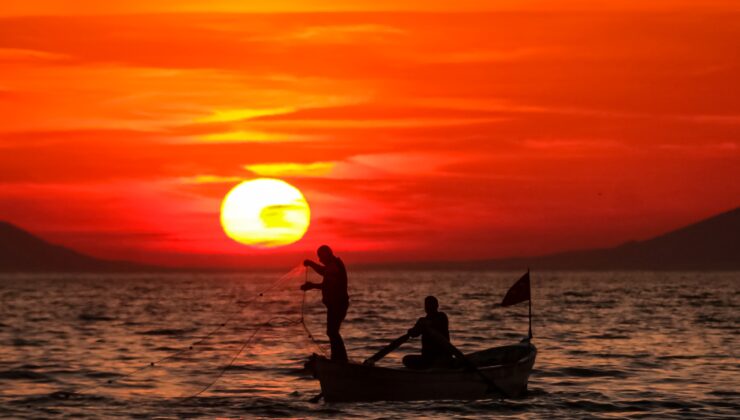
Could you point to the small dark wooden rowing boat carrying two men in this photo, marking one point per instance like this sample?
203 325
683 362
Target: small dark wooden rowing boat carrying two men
506 368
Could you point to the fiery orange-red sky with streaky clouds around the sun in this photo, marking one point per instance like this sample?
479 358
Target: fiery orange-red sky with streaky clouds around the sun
514 128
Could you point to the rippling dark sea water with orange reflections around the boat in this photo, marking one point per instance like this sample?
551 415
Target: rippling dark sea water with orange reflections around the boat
618 344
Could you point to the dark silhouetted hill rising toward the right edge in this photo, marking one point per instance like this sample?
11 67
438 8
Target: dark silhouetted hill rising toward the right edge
711 244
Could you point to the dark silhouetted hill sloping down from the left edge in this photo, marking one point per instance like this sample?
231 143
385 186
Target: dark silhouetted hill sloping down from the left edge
21 251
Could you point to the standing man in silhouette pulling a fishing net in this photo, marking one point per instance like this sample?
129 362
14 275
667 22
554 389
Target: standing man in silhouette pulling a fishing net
333 295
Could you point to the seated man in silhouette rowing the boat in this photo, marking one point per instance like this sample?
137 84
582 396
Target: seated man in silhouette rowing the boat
433 353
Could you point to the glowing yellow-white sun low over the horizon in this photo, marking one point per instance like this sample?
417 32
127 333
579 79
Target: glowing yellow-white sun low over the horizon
265 213
